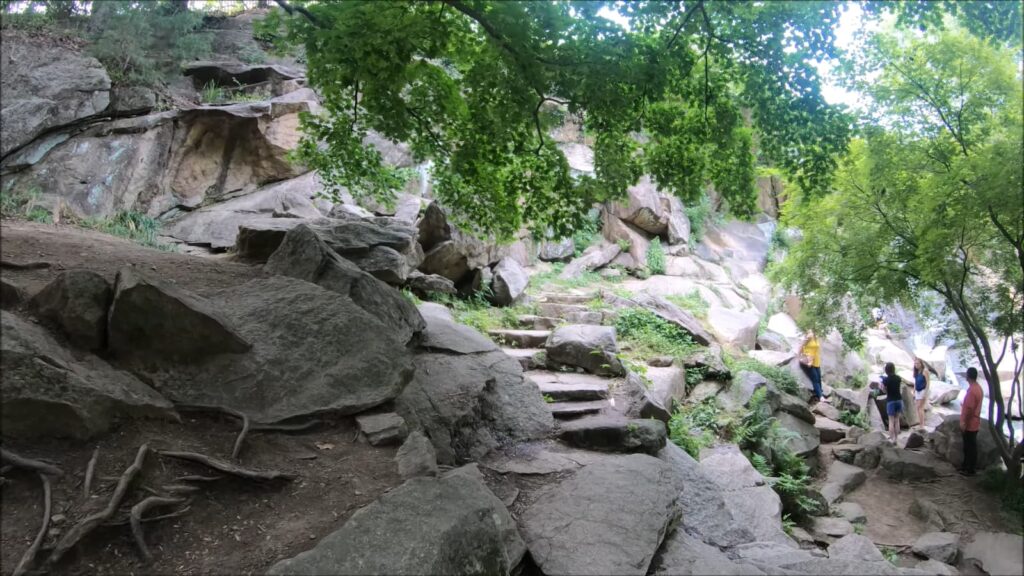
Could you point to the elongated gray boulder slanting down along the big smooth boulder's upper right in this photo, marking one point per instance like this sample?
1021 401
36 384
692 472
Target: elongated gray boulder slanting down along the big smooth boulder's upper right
306 257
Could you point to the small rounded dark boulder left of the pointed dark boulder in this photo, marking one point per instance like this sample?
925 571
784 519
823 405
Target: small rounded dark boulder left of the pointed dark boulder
77 303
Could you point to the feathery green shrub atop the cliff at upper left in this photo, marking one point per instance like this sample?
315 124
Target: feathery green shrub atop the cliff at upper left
142 44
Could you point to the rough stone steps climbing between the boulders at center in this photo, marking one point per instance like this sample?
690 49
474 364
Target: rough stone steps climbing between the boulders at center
570 395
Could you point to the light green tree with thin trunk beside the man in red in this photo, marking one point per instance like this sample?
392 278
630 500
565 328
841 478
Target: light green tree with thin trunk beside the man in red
929 203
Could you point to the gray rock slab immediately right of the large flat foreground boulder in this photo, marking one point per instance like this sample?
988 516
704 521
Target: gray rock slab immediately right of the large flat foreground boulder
707 507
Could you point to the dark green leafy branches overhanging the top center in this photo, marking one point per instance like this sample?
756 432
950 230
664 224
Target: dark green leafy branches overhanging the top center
678 94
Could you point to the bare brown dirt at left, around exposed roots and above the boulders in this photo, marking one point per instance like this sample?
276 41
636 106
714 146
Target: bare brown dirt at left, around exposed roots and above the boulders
233 526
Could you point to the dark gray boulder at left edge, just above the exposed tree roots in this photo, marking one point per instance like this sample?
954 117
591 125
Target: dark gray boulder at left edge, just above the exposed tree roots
47 391
